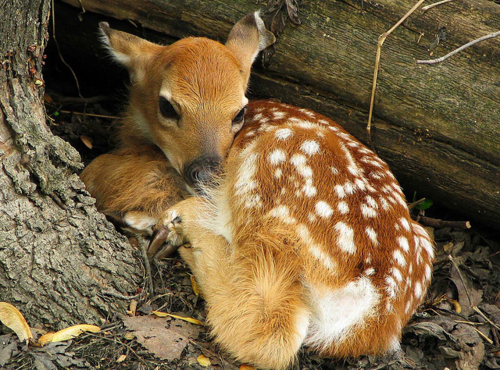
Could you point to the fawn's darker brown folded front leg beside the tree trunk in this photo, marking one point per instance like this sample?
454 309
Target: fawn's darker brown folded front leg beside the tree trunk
133 187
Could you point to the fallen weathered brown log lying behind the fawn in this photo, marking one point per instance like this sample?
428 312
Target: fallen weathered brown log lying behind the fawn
436 125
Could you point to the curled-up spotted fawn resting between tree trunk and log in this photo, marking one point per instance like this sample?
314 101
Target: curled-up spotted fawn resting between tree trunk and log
300 235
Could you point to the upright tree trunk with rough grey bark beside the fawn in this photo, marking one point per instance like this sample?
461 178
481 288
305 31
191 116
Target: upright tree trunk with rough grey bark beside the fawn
58 255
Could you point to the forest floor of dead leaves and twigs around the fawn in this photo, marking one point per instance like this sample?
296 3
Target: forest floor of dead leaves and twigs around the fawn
458 326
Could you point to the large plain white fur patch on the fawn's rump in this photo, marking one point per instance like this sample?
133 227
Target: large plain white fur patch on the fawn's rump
335 313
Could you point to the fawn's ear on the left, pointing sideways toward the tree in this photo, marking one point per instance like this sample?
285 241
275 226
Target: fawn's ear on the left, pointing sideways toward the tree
128 50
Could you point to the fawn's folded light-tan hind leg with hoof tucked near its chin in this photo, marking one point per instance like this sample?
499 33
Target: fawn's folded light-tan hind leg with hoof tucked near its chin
255 301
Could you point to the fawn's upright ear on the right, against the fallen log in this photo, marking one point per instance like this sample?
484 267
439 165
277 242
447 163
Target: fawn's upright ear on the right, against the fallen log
247 38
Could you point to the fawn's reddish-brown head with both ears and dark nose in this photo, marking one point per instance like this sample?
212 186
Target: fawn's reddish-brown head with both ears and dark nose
189 98
